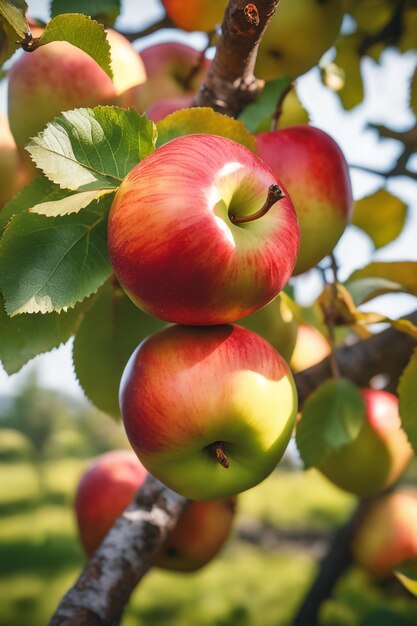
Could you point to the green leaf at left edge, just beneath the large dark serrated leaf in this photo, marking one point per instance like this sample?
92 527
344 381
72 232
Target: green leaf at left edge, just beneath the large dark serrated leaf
24 336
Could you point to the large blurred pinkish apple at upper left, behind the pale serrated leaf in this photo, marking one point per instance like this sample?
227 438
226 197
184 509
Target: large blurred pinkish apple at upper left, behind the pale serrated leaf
58 76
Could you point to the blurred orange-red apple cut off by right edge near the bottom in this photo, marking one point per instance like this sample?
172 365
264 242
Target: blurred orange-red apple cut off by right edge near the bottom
387 535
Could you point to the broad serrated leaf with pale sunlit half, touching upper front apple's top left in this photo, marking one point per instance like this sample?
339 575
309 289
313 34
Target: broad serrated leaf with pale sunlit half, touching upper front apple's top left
92 149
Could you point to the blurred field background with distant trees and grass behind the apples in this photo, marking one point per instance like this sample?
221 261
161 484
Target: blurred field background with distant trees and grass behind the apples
46 441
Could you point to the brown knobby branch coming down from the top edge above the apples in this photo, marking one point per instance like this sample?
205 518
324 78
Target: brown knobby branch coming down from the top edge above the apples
231 84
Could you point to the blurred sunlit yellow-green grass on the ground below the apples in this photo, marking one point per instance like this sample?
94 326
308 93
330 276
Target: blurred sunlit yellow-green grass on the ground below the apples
247 586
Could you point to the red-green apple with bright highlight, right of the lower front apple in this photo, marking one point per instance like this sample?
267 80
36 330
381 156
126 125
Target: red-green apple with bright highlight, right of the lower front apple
379 454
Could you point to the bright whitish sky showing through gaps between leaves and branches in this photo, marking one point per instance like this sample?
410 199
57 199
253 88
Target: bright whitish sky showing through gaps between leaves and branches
385 103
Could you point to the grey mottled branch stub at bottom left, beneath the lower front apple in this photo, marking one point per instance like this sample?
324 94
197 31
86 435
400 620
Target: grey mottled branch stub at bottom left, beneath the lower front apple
126 554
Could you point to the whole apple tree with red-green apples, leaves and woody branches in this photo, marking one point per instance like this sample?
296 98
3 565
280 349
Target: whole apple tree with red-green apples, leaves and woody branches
111 228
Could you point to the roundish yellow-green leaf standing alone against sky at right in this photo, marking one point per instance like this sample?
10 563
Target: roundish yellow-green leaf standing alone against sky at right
381 216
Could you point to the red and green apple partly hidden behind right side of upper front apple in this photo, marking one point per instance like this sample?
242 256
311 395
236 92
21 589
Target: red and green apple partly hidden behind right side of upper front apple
314 171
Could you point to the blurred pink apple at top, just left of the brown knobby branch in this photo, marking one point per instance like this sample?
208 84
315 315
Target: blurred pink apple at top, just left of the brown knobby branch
169 68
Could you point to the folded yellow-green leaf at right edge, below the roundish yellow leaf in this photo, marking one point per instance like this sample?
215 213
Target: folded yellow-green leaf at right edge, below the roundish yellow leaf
382 277
